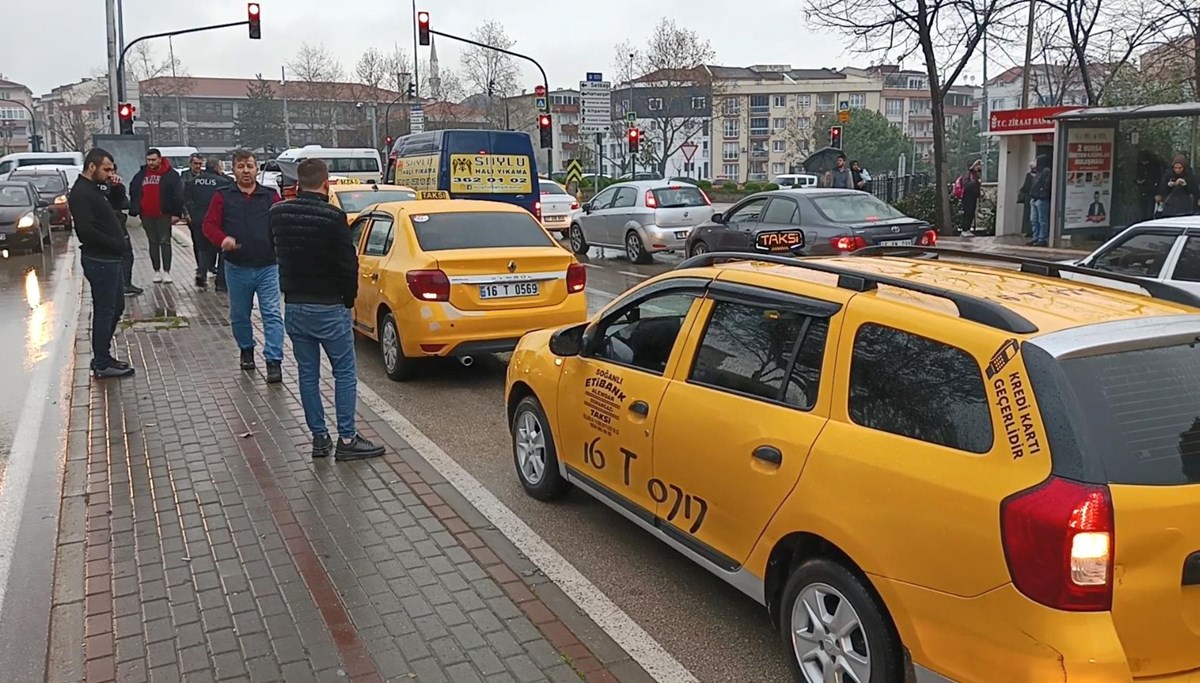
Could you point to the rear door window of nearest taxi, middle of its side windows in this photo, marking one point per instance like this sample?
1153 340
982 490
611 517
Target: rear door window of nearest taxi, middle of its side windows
763 352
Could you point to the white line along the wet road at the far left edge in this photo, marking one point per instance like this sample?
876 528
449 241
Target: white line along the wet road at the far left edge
25 452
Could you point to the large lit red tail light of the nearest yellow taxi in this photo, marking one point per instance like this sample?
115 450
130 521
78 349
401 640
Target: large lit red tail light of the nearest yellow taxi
1058 541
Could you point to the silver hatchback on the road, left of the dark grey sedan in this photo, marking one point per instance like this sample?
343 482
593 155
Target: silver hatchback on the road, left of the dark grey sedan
641 218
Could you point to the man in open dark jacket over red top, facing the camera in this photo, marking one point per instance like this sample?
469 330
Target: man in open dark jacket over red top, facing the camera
157 195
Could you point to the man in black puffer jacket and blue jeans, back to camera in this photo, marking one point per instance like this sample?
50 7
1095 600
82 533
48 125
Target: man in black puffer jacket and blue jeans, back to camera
320 279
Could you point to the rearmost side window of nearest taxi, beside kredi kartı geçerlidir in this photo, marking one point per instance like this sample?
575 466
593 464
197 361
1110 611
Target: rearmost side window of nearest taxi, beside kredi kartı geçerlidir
919 388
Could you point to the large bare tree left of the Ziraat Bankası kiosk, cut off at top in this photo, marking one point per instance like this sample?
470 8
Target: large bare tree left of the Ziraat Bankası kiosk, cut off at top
944 34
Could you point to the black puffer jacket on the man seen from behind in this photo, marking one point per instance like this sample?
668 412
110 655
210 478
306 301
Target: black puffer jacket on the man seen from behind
316 253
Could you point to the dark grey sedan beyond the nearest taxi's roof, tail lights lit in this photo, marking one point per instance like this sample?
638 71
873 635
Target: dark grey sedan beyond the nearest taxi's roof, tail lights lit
813 223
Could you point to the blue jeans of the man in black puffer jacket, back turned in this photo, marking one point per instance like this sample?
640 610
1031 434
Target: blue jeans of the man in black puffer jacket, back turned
315 327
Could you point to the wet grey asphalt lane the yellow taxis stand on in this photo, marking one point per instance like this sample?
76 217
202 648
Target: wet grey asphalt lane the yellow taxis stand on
712 630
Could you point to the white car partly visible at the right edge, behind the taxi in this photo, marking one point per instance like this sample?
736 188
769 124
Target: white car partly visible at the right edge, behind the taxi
1167 250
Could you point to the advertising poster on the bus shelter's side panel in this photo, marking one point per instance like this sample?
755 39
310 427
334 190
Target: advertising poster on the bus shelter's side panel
1089 190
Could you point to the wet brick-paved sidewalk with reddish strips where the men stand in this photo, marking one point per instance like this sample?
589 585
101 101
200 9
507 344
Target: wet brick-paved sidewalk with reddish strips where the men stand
199 541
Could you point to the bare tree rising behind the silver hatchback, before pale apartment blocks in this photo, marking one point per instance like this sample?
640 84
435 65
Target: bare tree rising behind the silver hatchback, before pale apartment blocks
670 88
